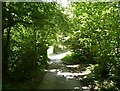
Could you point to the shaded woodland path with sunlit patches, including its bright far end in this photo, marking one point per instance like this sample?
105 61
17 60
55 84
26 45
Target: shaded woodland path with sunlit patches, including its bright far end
59 76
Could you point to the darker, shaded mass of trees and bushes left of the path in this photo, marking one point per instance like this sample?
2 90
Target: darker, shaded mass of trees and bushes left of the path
28 30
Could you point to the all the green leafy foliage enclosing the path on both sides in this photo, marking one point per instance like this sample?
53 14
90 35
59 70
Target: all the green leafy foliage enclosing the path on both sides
90 30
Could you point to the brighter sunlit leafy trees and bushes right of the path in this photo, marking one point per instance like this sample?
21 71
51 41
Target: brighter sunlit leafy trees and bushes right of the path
95 40
